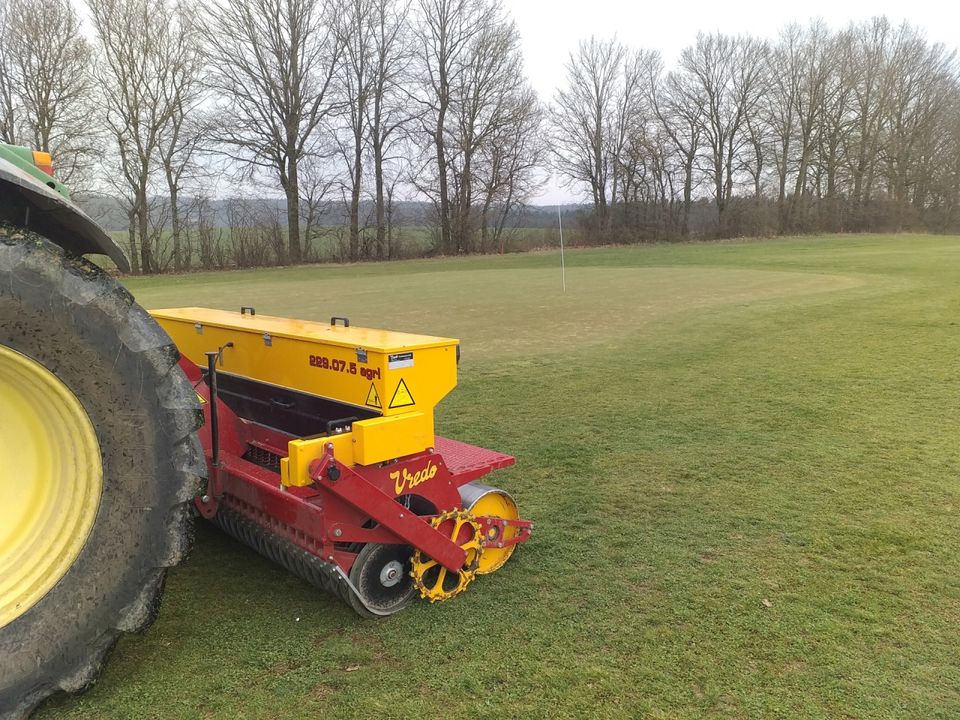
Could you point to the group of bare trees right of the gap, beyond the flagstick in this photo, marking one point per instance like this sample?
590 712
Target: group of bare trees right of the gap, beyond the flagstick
839 131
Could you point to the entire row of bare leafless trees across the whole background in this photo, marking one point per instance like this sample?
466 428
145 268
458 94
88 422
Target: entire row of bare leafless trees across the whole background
365 103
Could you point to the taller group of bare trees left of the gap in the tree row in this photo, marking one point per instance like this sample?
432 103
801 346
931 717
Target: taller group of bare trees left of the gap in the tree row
357 101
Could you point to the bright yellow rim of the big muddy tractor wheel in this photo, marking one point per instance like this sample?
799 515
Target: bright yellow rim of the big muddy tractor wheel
51 479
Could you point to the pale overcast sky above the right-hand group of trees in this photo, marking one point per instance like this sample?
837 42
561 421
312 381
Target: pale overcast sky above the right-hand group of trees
551 29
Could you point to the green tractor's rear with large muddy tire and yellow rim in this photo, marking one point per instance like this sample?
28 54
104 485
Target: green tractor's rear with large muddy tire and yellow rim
97 432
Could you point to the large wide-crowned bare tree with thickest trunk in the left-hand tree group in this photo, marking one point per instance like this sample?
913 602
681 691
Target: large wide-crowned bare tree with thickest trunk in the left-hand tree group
272 64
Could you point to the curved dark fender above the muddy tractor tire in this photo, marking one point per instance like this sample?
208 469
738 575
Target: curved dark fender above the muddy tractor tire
29 203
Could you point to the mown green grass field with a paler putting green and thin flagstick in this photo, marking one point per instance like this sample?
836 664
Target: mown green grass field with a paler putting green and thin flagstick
742 459
